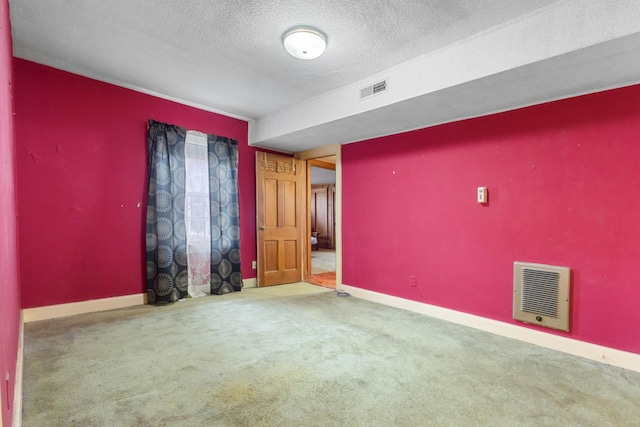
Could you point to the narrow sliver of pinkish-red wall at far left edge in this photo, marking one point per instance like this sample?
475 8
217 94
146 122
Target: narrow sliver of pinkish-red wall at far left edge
9 283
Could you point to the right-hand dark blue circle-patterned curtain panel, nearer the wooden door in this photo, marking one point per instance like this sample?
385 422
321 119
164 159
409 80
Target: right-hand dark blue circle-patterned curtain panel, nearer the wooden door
225 215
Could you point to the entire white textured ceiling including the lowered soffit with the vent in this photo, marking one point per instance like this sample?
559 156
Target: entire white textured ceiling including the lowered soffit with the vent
444 59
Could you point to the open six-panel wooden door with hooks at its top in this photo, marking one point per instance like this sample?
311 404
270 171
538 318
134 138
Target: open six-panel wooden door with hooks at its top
281 214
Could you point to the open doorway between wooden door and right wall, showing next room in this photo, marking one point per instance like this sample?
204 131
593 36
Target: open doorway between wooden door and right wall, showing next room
322 220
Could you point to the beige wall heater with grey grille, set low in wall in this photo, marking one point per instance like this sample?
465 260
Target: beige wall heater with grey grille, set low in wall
541 295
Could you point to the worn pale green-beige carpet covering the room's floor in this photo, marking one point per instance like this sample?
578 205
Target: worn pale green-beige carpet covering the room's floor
299 355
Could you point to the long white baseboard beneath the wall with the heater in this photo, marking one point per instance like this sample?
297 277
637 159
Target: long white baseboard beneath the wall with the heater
609 356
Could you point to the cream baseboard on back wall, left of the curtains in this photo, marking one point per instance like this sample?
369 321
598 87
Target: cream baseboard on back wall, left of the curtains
73 308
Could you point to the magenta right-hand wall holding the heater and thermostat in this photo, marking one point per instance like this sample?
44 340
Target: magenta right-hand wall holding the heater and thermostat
564 189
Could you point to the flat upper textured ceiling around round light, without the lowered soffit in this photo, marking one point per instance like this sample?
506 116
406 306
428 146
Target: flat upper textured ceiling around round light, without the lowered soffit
228 55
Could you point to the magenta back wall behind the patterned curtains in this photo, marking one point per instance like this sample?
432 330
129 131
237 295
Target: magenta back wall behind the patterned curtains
82 183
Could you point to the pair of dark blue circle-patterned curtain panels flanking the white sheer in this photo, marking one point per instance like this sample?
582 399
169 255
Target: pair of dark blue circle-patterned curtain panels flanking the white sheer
166 246
